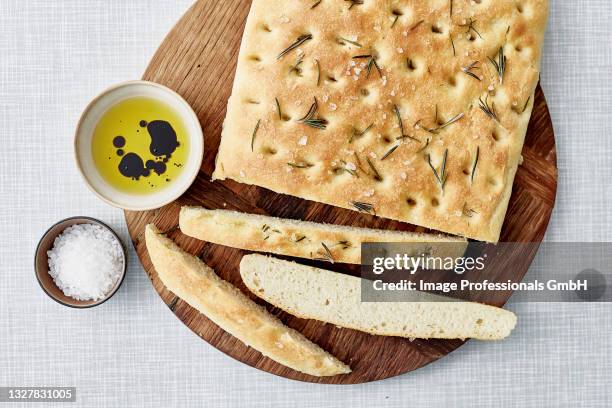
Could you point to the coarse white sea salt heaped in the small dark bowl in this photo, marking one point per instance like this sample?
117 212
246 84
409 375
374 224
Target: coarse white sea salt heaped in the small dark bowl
86 261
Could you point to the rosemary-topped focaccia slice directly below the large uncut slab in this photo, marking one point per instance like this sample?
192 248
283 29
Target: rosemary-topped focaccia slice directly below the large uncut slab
332 243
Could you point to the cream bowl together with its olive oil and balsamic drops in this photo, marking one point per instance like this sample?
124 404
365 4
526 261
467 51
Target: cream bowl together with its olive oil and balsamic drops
139 145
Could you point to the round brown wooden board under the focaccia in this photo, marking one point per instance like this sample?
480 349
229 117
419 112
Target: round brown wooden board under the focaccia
198 60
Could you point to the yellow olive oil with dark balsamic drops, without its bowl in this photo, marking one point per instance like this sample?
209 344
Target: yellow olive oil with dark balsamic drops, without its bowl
140 145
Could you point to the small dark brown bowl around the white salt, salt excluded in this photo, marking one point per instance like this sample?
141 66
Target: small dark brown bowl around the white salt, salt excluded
41 263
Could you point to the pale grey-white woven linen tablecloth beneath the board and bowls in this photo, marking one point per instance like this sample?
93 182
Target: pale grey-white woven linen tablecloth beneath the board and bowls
56 55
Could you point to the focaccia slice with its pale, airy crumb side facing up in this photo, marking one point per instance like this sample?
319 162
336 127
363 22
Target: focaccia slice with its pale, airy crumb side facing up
313 293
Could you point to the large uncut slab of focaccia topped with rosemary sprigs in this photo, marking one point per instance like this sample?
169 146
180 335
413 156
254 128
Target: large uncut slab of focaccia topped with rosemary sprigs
413 110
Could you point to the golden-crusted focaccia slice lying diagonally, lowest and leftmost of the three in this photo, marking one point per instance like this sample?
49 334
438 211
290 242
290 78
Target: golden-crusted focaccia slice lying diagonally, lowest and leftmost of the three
197 284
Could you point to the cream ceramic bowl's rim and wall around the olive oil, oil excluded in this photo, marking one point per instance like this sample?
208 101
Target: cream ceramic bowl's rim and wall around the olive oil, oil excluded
84 157
